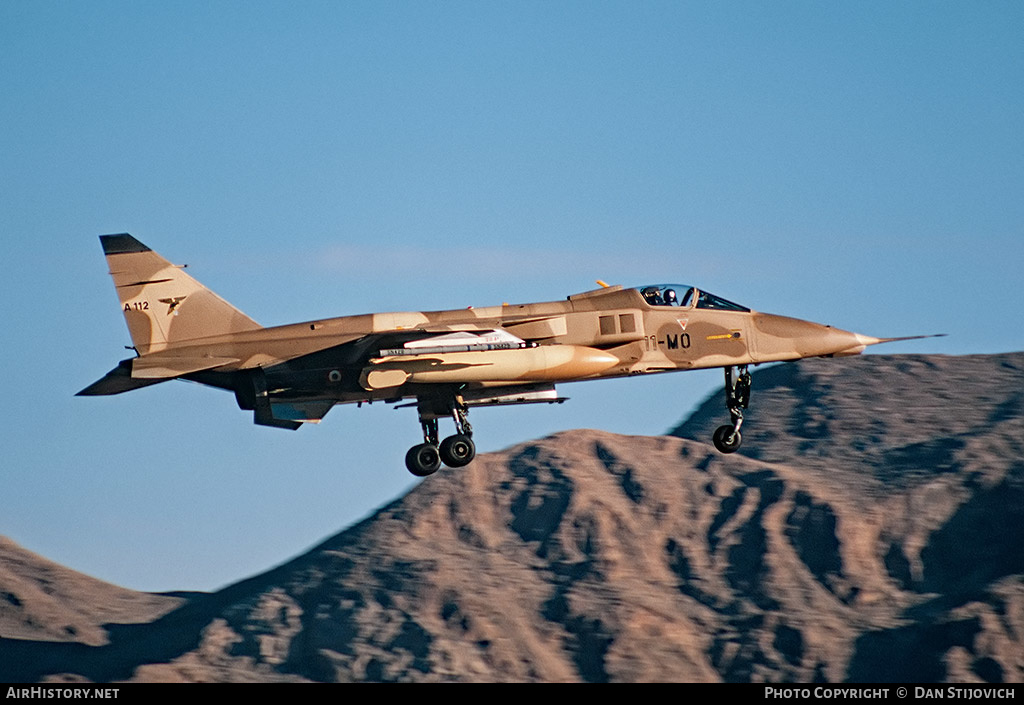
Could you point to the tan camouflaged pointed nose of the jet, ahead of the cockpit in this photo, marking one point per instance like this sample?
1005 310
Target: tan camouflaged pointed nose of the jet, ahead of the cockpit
780 338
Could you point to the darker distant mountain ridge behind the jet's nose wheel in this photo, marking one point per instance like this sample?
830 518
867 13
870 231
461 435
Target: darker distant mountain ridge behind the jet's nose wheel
900 418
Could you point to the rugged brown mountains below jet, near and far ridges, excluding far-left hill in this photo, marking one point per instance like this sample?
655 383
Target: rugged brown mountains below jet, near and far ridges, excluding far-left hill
864 546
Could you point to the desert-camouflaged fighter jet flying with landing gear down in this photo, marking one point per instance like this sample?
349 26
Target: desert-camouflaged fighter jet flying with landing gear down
447 362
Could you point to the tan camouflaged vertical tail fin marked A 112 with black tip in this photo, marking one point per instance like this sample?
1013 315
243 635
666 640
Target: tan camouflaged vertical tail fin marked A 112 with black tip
162 305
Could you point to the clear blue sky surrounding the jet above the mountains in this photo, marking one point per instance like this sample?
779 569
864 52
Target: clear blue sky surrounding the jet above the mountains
858 164
